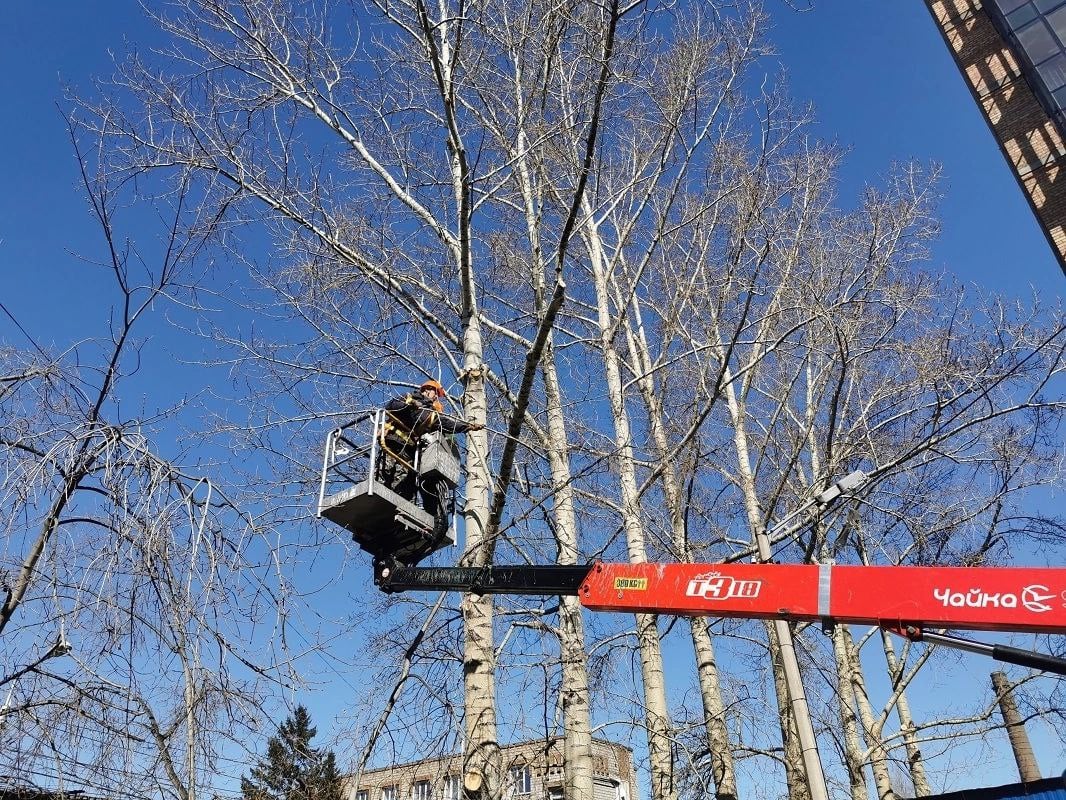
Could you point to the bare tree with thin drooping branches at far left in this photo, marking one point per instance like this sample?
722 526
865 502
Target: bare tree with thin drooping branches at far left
130 581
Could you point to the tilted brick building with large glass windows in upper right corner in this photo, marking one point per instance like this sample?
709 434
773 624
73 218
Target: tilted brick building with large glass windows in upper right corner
1012 55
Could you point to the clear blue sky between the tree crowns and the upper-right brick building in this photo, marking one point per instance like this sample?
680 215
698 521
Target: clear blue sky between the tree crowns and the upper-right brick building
885 87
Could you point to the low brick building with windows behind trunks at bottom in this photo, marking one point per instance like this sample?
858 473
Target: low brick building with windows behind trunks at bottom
534 771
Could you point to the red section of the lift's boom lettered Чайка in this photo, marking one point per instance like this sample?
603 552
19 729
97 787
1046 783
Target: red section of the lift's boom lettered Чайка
980 599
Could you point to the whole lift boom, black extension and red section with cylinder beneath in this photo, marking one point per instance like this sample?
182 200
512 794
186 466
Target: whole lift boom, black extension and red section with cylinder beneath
905 600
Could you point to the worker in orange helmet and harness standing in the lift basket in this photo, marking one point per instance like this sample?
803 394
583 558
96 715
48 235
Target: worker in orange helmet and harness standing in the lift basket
410 418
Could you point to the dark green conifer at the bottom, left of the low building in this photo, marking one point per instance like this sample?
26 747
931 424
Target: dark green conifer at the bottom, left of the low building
293 770
